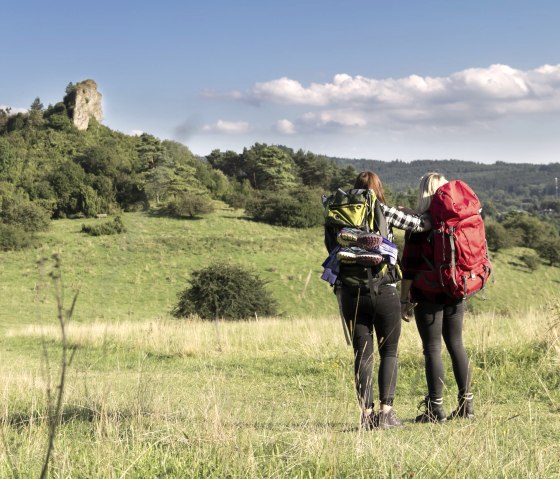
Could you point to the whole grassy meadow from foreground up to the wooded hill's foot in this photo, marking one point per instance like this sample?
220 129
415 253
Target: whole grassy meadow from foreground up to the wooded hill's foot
149 396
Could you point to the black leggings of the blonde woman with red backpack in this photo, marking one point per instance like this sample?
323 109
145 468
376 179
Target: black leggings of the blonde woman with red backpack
434 321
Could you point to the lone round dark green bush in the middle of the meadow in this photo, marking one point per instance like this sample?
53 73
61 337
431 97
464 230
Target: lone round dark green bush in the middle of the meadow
225 292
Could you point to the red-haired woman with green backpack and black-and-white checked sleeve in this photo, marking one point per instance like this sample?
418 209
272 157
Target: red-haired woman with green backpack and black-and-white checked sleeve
363 269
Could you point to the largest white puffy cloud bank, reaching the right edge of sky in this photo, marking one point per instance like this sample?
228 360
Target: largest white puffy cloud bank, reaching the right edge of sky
471 95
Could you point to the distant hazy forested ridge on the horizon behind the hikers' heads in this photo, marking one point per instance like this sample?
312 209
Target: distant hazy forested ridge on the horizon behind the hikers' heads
506 184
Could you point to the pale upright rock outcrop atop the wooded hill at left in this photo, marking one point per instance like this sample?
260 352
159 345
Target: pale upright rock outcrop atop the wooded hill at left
83 102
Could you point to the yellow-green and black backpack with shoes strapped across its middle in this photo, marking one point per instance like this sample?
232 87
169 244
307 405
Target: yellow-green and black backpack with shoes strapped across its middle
358 209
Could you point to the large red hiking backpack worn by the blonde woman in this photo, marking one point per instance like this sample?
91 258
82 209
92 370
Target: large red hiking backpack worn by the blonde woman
456 251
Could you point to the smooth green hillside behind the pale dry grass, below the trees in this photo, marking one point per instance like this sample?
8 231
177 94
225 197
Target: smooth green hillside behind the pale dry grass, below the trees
137 275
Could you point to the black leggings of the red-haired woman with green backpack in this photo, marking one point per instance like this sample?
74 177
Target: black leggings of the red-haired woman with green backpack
363 315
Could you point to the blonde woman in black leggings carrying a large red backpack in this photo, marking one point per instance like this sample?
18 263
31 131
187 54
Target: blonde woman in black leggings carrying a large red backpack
442 268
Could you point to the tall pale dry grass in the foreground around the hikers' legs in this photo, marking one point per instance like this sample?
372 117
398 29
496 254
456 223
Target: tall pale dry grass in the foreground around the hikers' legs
274 398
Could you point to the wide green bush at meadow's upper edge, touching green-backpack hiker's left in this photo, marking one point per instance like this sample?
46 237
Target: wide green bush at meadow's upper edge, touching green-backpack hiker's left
300 208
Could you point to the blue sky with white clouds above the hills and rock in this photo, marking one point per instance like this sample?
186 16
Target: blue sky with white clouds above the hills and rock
476 80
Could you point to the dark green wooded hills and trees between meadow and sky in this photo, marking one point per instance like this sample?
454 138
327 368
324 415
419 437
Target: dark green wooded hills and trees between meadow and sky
50 170
